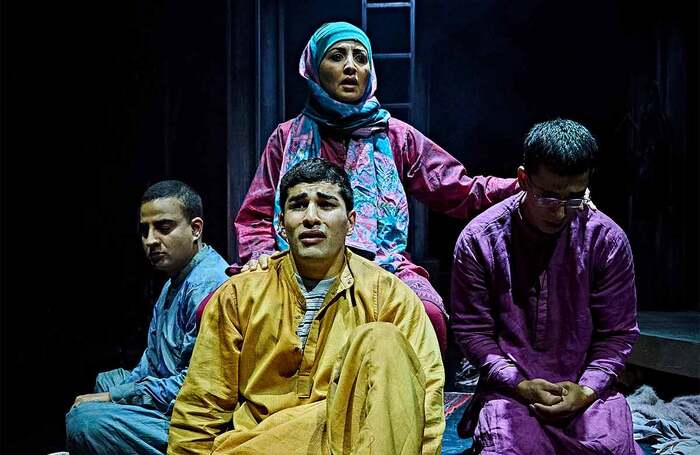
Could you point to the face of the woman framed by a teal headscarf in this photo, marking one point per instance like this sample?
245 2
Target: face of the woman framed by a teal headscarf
344 71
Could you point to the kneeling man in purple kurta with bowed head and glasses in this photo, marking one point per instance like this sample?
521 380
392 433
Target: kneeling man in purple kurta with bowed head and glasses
543 301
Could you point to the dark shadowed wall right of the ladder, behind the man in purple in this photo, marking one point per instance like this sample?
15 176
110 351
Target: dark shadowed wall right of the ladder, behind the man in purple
625 70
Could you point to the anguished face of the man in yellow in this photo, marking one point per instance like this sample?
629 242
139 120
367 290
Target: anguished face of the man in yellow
316 222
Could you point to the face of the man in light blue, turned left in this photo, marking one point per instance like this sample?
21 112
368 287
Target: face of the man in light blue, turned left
168 239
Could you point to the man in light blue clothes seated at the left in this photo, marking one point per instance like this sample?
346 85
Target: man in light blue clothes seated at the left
130 410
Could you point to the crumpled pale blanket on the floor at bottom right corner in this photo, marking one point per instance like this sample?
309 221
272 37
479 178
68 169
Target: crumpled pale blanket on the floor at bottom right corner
673 427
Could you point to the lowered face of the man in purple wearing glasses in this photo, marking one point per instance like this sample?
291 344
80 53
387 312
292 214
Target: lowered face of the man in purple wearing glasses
545 184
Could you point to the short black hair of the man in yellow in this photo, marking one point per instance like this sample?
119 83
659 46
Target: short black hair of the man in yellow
315 170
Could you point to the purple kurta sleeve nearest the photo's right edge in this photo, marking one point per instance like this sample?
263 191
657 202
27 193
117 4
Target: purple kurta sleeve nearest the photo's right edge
613 306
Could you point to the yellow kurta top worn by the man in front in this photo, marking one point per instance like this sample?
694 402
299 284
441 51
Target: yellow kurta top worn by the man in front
248 363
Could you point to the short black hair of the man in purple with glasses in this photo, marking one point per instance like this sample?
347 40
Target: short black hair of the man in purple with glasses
563 146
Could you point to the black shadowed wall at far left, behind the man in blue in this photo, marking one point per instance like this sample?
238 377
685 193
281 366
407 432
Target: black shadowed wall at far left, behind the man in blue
105 98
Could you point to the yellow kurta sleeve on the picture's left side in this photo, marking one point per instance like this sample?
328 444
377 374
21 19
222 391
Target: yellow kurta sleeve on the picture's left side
208 397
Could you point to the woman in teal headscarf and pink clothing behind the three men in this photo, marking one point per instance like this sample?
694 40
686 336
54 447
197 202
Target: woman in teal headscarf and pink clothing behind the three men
385 159
